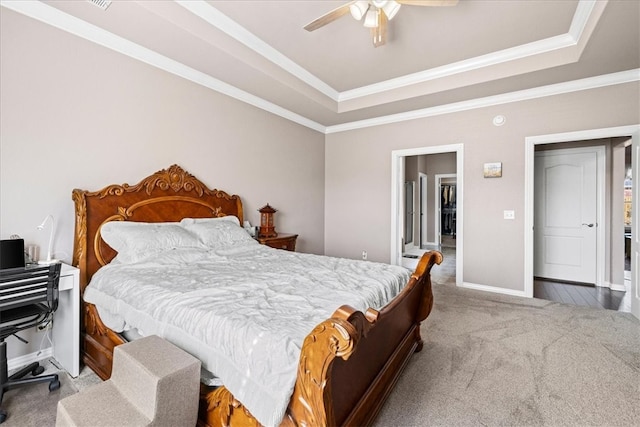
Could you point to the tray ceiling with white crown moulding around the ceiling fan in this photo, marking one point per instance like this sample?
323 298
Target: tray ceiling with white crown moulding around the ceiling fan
333 78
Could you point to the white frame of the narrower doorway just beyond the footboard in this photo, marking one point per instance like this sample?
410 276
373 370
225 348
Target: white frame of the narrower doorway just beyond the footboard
397 187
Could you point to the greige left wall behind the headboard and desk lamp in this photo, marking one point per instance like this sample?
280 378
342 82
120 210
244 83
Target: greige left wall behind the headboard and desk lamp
76 115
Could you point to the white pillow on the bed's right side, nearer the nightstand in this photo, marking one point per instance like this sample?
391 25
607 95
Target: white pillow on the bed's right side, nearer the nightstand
217 233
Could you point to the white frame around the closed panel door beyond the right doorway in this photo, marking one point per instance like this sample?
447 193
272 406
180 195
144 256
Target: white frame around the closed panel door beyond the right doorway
600 151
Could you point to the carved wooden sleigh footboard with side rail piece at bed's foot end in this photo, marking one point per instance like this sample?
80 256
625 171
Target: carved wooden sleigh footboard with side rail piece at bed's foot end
348 364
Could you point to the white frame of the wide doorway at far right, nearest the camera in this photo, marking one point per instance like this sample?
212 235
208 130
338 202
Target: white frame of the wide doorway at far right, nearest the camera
530 142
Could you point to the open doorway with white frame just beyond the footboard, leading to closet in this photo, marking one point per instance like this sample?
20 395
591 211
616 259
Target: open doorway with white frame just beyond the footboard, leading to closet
417 176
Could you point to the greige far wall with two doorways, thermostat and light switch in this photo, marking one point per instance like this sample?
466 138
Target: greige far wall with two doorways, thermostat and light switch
358 175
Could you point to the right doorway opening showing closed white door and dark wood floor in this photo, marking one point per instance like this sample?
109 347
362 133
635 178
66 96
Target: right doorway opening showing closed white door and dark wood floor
578 225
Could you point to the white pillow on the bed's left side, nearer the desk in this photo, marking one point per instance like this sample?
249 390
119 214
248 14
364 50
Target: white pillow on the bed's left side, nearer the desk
136 241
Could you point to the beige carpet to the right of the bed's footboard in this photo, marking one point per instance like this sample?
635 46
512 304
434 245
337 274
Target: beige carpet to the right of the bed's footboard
493 360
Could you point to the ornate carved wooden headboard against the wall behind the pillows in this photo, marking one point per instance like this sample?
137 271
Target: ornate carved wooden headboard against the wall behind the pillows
168 195
